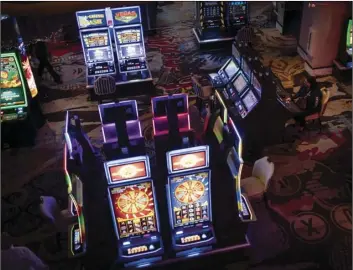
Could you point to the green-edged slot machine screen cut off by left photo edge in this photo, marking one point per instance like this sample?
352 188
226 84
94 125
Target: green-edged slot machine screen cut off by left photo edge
13 93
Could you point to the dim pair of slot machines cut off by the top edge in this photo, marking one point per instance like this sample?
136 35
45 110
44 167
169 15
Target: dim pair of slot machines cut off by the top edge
219 20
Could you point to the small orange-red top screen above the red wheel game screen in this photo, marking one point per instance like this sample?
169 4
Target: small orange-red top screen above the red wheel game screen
128 171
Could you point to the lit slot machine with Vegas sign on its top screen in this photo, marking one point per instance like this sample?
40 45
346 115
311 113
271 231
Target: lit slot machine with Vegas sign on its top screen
130 45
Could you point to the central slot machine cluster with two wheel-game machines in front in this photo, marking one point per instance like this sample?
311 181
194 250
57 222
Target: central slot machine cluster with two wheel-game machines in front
137 196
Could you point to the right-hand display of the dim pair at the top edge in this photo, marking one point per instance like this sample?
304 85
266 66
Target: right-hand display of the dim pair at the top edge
236 14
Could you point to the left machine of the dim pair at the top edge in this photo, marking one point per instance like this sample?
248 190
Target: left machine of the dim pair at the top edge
211 26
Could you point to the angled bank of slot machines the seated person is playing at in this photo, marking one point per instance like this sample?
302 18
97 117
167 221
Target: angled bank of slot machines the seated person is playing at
252 97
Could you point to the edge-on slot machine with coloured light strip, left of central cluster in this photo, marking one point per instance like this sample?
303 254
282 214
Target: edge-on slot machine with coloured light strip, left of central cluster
72 159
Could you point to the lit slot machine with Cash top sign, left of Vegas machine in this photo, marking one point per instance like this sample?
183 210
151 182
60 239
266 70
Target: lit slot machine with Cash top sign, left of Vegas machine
96 44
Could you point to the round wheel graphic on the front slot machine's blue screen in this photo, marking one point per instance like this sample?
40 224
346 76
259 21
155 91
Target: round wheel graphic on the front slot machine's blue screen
189 191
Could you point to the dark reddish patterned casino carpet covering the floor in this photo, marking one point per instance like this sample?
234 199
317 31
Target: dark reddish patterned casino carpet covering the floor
307 224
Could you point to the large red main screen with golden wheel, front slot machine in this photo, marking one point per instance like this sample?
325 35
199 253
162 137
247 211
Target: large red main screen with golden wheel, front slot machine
134 209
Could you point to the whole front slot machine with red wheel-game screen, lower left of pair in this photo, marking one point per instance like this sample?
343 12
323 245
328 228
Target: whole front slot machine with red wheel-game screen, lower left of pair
134 211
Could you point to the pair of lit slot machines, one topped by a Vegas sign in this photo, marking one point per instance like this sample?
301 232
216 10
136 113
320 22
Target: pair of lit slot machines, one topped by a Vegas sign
113 44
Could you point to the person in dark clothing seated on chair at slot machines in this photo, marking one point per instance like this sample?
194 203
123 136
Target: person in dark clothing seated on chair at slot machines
311 94
